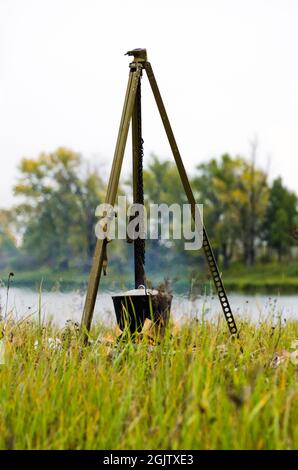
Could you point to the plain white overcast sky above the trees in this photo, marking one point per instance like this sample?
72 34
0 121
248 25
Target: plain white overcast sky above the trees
227 70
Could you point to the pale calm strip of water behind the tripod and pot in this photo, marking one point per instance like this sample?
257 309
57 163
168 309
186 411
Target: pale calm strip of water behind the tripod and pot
61 306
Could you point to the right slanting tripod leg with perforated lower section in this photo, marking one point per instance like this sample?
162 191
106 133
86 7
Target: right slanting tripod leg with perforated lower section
188 191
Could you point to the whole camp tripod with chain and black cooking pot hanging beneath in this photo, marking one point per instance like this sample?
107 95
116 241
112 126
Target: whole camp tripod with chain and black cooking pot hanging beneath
132 308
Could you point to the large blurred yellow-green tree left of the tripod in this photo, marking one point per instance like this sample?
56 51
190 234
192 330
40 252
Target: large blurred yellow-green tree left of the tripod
58 208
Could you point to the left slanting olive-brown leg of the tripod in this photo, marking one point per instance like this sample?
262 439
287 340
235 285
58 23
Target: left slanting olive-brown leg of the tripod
97 262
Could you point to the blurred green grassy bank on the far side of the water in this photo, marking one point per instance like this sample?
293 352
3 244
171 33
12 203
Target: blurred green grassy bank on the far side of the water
271 278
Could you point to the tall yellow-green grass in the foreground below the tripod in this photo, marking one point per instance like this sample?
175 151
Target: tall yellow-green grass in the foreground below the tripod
197 389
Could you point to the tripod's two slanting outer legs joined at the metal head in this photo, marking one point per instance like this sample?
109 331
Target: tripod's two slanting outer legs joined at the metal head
130 110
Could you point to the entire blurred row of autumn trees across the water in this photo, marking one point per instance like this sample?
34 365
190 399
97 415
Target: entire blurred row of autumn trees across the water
248 218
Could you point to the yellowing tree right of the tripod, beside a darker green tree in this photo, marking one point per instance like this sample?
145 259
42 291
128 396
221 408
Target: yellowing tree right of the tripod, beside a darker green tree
235 194
